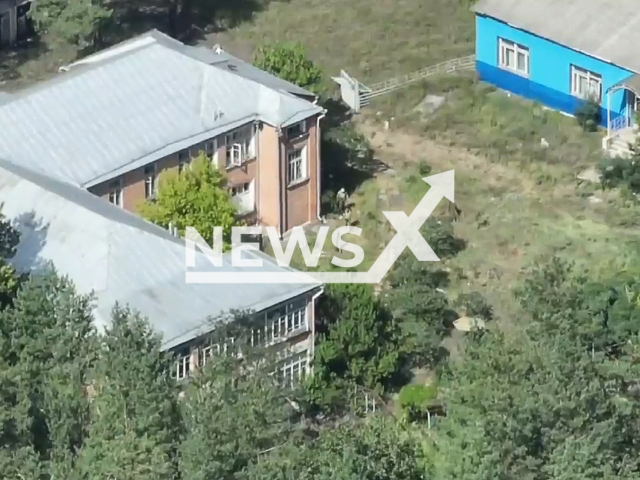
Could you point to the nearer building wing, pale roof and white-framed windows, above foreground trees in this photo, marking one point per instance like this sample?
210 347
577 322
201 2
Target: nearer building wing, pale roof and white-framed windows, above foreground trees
118 257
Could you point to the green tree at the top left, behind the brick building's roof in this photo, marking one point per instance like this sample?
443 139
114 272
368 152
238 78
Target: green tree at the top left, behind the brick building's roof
79 22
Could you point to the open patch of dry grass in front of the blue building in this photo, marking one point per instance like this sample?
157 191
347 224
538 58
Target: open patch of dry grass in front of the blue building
520 202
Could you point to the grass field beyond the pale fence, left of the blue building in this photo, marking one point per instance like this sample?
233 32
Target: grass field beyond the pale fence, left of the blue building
372 39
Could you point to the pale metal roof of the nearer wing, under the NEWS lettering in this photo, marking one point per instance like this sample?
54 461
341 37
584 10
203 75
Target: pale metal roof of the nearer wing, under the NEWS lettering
123 258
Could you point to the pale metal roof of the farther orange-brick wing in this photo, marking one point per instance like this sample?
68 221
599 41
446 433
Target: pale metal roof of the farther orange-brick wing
130 105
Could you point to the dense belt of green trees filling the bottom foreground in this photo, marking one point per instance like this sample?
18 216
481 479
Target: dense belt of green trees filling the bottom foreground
559 400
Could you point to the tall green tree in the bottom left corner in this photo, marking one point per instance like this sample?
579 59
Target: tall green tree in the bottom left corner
48 346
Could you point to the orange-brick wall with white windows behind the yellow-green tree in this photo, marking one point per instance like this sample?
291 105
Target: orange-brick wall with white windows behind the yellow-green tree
273 175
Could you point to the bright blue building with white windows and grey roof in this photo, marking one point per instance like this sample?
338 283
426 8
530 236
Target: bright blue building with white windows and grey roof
561 52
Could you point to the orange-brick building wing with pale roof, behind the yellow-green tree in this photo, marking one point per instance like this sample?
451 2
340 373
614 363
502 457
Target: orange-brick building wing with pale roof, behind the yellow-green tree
115 120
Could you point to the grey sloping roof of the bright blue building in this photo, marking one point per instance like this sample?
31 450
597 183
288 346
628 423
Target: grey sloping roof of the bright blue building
606 29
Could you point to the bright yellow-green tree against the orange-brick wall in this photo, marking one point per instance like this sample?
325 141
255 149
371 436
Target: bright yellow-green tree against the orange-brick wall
195 197
